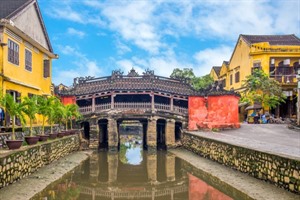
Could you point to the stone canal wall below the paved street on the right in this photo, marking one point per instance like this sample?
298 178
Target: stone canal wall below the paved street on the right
283 172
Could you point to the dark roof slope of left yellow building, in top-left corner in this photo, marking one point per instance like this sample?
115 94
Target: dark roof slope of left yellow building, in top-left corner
8 8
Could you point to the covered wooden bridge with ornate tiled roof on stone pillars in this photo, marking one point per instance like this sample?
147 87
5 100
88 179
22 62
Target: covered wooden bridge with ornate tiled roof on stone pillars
160 104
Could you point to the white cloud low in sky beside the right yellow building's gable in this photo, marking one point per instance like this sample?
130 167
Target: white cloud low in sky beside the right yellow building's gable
210 57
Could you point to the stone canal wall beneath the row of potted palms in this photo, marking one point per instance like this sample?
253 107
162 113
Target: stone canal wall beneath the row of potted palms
17 164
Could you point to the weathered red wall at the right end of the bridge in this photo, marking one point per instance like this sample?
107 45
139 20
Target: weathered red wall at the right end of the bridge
213 112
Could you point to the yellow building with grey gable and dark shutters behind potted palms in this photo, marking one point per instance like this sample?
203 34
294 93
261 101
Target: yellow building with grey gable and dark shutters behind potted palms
25 51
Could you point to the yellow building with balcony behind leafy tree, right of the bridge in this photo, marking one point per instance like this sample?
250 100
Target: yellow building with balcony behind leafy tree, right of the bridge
277 55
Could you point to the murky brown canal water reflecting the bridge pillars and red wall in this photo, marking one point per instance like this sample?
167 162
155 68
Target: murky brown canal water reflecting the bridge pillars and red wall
157 176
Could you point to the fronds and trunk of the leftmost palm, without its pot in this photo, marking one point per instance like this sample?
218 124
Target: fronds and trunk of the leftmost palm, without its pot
14 109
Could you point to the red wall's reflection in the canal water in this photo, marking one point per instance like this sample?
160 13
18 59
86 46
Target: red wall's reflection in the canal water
199 190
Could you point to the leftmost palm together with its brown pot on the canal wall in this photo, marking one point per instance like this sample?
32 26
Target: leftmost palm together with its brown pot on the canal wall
14 109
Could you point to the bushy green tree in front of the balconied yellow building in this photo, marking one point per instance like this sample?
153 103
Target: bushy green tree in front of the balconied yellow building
260 88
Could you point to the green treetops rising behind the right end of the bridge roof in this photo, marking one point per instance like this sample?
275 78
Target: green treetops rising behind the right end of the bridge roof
197 83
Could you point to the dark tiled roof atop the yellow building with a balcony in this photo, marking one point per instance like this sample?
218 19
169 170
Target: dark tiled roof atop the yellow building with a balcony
273 39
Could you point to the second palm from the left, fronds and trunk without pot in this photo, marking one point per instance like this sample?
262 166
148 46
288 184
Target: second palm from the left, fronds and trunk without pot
30 109
